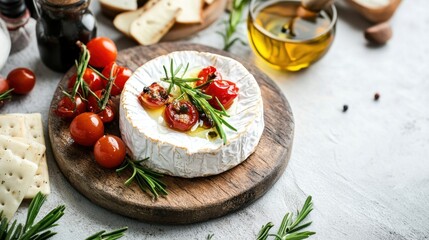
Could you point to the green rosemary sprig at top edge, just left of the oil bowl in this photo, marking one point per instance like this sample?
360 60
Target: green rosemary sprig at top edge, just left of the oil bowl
231 26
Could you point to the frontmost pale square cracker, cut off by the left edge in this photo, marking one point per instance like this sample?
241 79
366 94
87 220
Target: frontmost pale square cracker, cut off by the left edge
16 174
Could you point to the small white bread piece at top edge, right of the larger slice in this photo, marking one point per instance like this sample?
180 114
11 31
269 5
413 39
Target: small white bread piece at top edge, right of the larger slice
192 10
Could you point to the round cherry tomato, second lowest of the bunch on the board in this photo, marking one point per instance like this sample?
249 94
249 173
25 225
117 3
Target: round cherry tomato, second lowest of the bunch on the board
86 128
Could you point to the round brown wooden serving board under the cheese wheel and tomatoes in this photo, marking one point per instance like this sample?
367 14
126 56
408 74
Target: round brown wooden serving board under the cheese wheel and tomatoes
189 200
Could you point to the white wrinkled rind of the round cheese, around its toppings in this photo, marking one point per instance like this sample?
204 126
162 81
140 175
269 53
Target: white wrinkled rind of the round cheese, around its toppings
179 154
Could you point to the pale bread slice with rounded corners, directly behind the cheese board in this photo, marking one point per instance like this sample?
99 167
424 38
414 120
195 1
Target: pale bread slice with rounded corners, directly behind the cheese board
154 22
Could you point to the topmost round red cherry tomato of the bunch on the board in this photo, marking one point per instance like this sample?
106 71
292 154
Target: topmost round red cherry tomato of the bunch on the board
102 50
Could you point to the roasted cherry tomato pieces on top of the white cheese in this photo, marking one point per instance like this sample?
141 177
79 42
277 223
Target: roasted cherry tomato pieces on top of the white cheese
183 115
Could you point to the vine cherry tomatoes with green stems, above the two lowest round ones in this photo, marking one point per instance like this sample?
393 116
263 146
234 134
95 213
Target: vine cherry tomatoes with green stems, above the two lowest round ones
95 87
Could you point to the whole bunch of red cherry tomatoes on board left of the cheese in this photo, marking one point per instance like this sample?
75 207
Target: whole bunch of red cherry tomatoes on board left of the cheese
88 102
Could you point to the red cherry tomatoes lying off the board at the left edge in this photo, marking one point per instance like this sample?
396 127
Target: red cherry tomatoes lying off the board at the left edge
19 81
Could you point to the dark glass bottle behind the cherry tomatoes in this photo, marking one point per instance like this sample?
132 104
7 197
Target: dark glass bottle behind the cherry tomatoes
61 23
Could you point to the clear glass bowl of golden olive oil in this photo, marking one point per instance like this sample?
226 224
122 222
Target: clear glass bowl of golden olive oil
287 39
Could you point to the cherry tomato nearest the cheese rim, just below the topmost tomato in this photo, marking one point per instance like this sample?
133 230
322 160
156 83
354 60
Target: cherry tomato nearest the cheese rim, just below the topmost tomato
122 74
